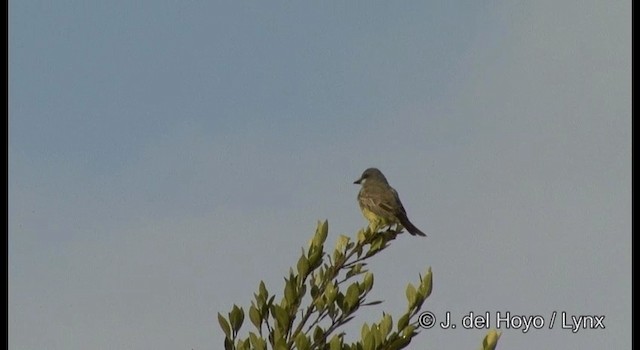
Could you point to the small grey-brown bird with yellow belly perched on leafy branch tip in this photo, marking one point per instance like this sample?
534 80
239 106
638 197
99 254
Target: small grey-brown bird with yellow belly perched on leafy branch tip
380 203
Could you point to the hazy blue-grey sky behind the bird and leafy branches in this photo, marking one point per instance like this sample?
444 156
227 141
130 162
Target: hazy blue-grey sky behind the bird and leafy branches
166 156
